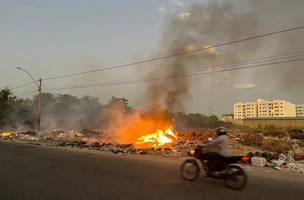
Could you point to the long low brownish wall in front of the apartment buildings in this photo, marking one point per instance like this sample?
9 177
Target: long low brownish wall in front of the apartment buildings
284 122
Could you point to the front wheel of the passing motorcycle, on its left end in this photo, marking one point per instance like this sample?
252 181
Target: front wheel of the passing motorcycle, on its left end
190 169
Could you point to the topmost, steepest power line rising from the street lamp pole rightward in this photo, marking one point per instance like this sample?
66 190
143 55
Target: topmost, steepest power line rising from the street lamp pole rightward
177 54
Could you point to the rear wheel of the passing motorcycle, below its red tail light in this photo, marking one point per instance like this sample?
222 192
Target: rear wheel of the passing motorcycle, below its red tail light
235 177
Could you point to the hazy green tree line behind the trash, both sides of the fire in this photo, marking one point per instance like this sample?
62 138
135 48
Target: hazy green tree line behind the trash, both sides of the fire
67 111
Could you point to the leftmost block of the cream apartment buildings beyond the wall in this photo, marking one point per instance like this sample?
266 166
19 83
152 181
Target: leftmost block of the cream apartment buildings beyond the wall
245 110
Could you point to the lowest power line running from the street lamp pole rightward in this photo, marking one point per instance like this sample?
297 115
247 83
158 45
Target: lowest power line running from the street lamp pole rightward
181 75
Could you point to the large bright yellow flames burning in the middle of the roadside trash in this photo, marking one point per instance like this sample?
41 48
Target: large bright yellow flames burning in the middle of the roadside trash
156 139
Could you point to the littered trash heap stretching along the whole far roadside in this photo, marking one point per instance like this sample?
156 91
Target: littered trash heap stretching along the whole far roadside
186 141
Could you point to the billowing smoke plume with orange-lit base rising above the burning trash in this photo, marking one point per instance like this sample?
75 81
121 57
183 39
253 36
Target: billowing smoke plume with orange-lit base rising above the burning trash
198 26
